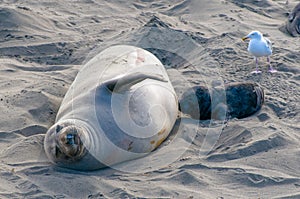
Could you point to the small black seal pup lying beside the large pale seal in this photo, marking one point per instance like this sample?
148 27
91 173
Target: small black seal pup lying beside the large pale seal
234 100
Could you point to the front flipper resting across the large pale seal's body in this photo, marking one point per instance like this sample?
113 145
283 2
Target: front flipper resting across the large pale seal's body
124 82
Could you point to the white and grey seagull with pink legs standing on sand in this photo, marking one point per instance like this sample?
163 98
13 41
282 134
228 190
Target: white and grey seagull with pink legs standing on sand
259 47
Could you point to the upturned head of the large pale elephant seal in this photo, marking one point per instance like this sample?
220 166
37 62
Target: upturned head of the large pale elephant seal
66 143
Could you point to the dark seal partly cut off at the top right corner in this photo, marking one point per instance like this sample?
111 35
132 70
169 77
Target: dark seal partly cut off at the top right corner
292 25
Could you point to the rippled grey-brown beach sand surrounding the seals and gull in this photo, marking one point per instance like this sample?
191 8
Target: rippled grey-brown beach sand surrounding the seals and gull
44 44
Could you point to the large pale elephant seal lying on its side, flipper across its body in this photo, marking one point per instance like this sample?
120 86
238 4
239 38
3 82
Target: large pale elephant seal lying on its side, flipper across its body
121 106
